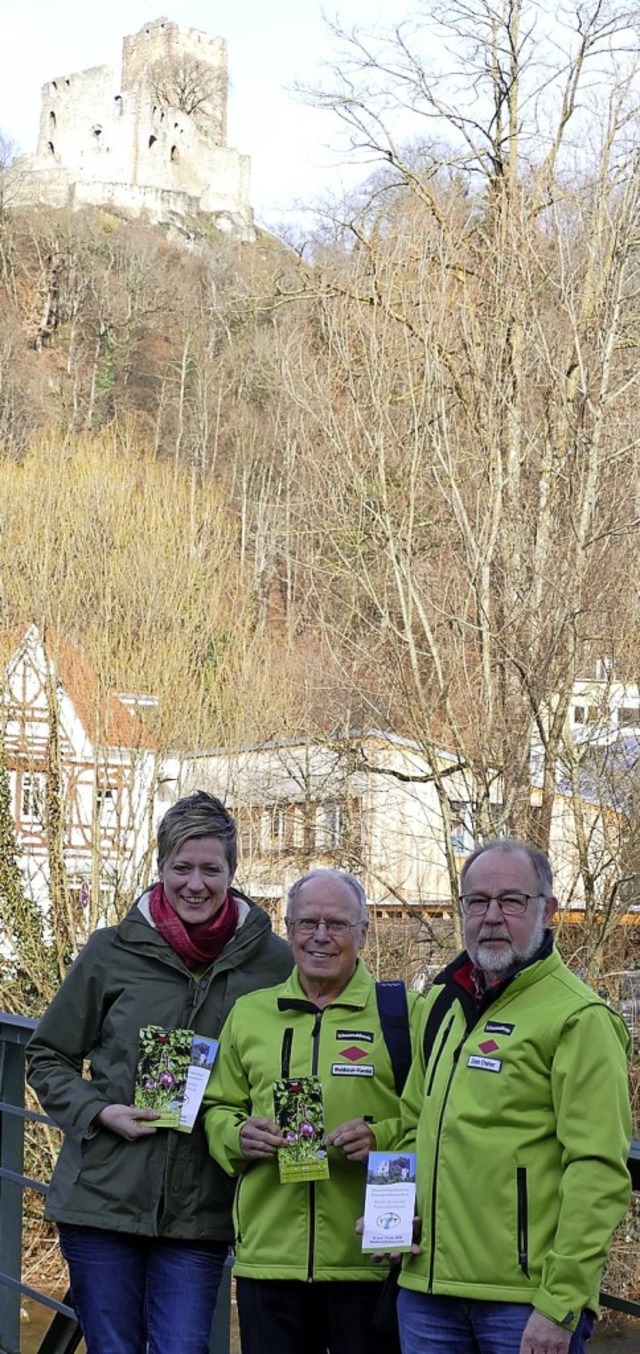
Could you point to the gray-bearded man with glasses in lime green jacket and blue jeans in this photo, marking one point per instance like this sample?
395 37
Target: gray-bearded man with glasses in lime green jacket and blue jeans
520 1116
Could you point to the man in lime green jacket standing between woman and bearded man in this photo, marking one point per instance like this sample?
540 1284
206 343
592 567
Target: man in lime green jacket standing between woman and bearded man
304 1283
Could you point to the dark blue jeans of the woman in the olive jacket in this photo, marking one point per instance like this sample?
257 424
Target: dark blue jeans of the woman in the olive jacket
143 1295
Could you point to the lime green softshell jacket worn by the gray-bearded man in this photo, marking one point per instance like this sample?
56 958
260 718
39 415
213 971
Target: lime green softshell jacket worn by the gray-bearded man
522 1127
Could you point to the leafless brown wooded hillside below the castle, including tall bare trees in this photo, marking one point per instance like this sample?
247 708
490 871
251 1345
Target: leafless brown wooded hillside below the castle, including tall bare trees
394 483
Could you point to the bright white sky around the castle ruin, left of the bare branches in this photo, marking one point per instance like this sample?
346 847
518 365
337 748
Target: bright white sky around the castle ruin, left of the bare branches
293 148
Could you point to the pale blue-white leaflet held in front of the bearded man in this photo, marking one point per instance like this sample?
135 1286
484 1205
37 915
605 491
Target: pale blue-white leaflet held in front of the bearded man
389 1202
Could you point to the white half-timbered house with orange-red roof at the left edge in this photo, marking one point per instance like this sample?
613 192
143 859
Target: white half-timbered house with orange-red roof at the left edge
82 774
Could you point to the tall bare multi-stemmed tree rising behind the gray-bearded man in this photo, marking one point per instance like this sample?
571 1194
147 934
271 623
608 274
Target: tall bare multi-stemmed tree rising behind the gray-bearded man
472 399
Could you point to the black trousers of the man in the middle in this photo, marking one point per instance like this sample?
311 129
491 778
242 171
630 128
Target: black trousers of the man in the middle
282 1317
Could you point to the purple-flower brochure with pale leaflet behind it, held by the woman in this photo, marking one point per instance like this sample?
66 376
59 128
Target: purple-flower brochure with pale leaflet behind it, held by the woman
173 1074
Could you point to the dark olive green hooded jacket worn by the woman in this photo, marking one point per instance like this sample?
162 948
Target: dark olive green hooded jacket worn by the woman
125 978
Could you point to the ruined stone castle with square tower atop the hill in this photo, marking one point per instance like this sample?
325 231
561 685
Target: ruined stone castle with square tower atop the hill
155 143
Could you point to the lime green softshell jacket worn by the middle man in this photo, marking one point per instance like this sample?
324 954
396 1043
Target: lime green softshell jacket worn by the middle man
304 1230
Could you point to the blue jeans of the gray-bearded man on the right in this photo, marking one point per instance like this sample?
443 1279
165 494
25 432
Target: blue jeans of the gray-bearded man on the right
434 1325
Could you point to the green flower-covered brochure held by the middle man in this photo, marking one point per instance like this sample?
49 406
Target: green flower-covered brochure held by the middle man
301 1115
